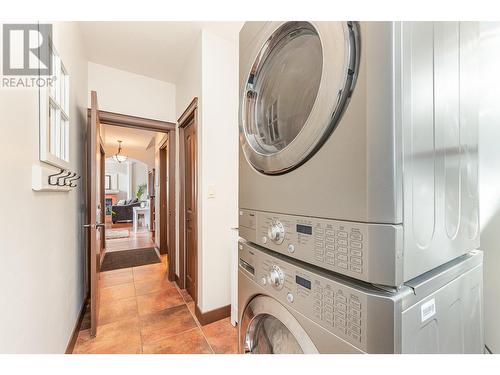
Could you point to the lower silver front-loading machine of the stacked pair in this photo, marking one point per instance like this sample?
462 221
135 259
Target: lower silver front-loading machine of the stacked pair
289 307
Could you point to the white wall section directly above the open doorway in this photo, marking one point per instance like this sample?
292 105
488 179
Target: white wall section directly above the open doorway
131 94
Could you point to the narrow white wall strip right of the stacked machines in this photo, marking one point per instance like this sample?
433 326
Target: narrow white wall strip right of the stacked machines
489 165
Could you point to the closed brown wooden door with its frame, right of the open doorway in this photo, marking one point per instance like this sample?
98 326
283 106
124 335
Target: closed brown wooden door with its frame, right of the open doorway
188 218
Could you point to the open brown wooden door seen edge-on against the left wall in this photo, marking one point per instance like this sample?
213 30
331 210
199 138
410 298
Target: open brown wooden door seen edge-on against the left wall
96 209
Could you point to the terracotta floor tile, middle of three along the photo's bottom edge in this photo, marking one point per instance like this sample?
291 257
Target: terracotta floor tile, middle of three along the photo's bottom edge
190 342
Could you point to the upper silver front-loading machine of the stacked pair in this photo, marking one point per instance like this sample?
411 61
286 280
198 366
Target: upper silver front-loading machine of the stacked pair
358 144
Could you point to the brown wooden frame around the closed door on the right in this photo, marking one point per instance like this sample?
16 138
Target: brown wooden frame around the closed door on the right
189 114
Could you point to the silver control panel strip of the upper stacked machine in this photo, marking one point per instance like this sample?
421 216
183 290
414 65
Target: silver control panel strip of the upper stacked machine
340 246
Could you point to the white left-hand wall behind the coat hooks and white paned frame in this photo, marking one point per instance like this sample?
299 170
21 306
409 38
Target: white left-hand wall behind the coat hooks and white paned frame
42 243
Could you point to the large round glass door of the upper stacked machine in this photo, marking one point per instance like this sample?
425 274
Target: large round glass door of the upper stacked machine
296 91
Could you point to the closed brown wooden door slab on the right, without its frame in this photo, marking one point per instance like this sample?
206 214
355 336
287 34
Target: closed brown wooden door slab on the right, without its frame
190 208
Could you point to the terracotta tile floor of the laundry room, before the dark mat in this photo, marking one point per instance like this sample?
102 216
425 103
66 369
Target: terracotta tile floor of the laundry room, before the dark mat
142 312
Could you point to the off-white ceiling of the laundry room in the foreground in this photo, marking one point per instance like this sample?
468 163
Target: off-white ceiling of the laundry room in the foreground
154 49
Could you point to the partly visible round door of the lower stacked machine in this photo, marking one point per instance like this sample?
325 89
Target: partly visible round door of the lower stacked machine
267 327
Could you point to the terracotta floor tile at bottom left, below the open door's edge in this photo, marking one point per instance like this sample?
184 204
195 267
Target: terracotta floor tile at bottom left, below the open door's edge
115 338
